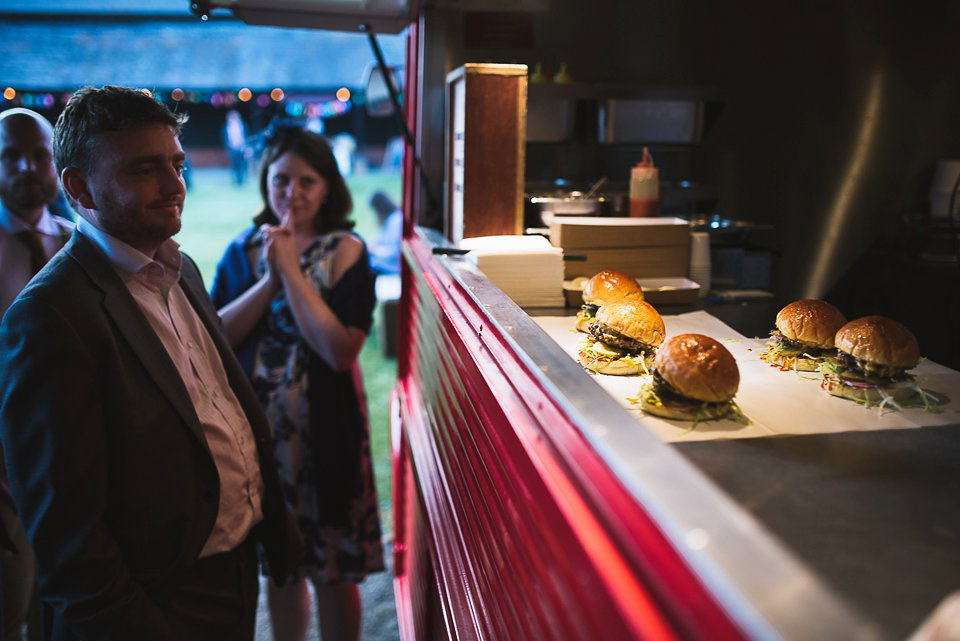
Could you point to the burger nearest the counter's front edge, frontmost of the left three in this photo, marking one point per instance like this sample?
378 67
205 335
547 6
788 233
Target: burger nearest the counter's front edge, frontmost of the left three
694 379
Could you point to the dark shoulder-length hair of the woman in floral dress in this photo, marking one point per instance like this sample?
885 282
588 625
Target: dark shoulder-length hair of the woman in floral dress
316 151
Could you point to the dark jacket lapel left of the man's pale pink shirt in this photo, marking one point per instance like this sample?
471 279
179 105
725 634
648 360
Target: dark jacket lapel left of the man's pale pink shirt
121 307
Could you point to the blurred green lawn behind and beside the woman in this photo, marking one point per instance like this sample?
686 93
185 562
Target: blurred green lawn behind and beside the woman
216 211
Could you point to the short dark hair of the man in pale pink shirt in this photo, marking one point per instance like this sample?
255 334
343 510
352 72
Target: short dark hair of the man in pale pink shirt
91 111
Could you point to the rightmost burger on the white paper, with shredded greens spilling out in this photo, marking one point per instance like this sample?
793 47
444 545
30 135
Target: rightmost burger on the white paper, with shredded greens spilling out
873 356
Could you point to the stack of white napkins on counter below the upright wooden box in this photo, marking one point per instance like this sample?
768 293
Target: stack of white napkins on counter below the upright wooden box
528 269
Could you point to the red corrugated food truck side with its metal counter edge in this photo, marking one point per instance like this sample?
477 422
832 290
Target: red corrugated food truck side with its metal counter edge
529 506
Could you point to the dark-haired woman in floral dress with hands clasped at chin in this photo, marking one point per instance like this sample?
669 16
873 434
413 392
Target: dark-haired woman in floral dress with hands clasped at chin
296 296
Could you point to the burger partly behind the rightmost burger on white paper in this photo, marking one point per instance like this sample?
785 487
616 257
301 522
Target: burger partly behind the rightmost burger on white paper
804 335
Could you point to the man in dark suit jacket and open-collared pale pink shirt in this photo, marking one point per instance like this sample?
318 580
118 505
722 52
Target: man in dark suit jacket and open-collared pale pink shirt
137 452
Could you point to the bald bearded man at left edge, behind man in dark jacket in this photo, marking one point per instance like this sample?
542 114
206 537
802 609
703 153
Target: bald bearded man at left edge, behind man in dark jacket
29 236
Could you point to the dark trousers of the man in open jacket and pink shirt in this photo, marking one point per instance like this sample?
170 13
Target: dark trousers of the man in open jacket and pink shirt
217 599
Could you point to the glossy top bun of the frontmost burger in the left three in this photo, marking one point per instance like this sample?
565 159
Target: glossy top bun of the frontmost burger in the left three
698 367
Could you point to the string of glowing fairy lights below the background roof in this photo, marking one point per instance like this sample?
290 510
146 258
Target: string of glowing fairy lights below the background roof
337 104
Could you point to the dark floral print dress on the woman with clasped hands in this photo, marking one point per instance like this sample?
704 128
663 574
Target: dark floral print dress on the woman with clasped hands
319 421
